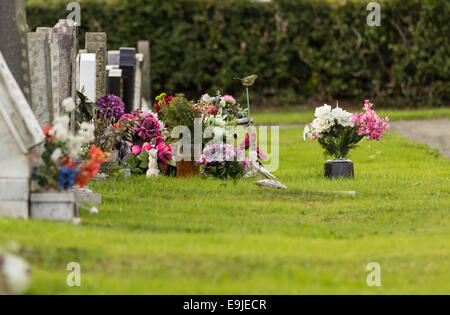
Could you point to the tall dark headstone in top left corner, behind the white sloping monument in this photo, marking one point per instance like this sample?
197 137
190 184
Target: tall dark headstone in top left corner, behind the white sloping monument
13 41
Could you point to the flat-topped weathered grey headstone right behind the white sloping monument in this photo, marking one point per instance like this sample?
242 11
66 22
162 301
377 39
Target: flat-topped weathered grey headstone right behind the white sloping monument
40 74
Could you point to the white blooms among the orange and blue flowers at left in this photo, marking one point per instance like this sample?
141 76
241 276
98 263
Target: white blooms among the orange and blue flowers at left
74 142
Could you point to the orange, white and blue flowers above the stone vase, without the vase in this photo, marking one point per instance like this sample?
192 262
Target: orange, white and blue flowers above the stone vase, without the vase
62 165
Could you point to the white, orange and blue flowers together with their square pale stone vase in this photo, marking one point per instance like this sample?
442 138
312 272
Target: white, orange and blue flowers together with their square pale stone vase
63 165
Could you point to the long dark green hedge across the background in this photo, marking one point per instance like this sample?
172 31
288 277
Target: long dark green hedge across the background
301 49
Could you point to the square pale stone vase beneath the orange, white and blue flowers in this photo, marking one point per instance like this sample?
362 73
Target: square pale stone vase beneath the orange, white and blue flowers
53 205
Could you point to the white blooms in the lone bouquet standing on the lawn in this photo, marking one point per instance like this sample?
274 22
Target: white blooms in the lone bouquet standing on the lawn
325 119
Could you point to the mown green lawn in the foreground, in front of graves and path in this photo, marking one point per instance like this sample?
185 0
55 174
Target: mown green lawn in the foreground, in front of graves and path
200 236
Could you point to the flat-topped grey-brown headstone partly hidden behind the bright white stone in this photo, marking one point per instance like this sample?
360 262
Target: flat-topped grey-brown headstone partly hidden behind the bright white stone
96 44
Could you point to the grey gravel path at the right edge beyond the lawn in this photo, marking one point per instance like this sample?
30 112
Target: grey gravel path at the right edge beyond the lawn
435 133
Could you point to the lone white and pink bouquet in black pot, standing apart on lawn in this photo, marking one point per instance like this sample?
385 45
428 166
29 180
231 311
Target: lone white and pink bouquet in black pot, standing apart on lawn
339 131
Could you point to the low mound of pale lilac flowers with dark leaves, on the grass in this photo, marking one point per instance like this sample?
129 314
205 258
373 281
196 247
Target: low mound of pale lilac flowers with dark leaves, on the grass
223 161
